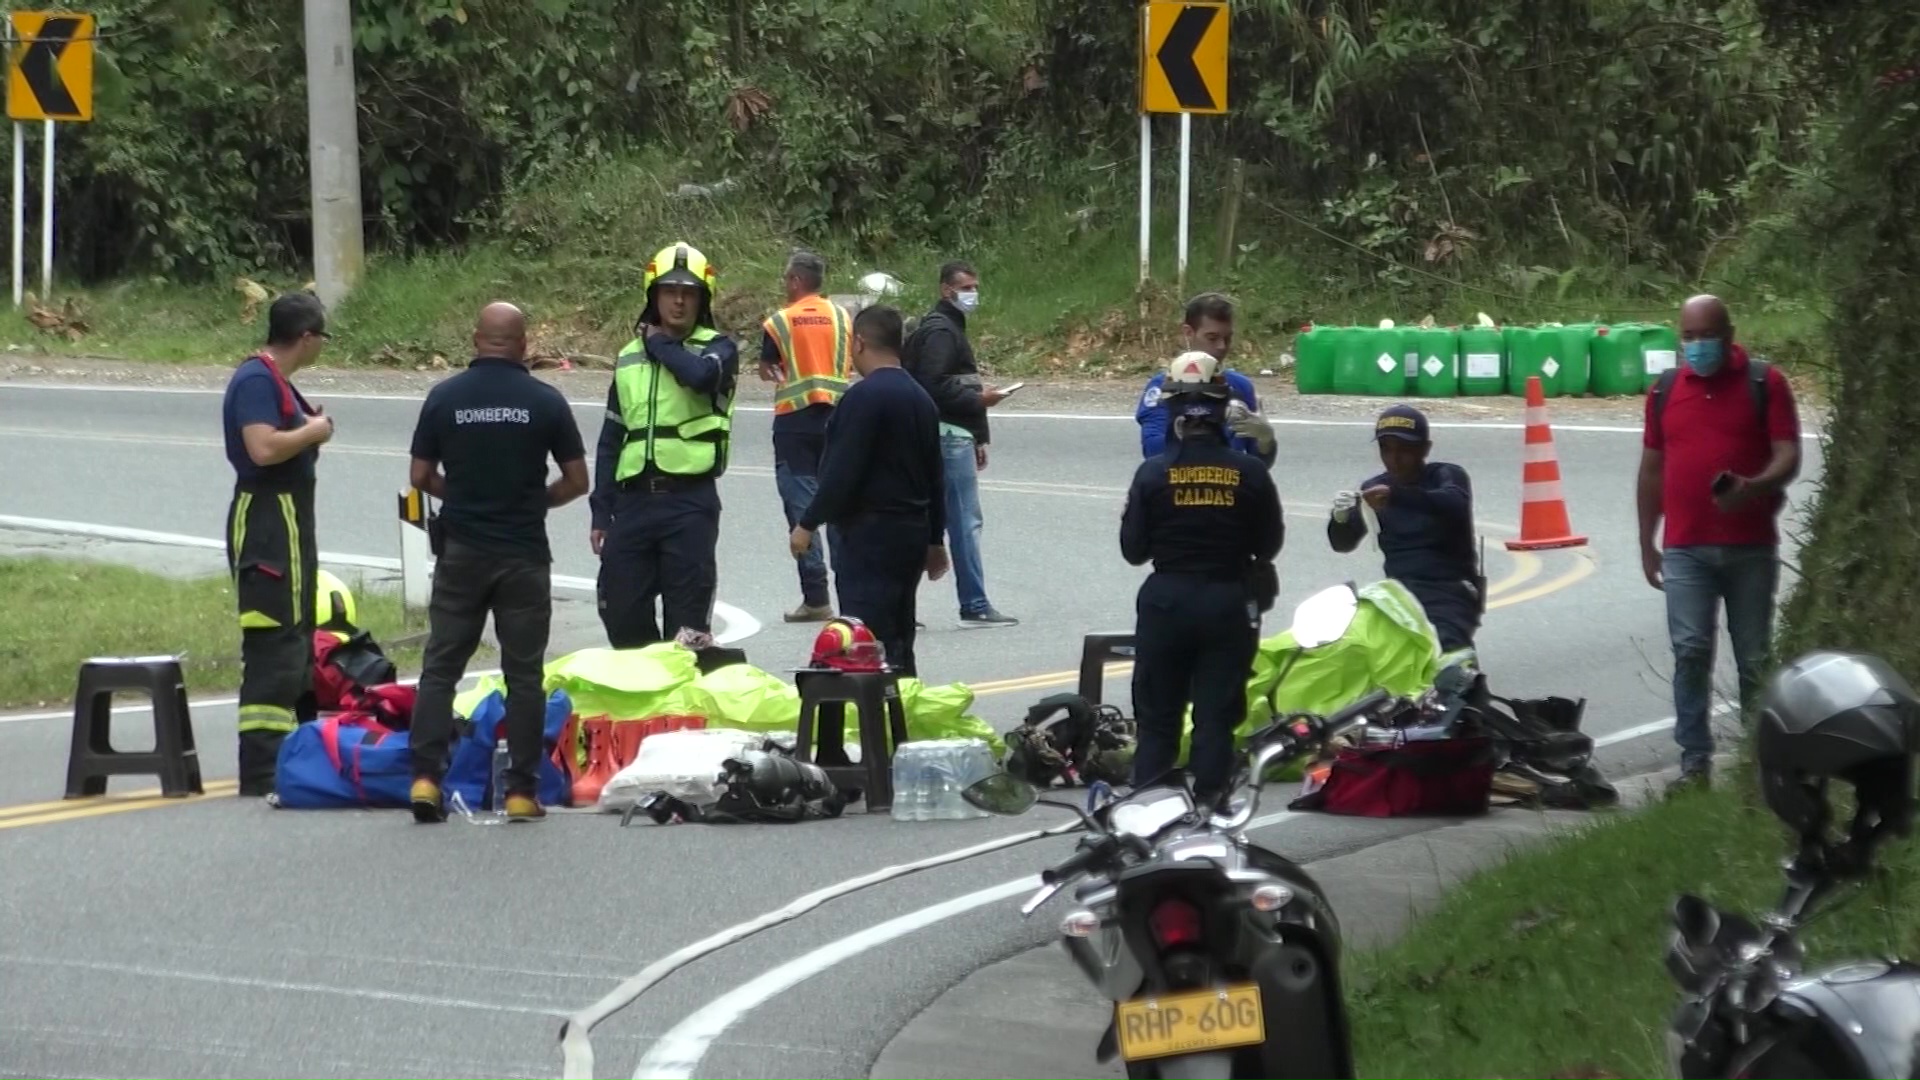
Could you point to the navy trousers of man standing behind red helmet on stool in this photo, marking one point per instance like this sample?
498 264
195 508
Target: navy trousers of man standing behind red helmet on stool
876 572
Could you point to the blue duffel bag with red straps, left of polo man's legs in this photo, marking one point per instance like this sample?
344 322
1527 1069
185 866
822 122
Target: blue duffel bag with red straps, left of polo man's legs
347 760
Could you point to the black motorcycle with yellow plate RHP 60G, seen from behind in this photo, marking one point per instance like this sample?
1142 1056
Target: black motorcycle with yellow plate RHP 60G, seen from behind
1222 958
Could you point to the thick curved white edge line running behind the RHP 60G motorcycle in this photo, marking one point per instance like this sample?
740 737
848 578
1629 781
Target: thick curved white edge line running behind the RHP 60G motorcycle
679 1054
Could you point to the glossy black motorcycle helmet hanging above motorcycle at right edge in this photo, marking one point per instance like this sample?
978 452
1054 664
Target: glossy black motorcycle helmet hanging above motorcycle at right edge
1836 716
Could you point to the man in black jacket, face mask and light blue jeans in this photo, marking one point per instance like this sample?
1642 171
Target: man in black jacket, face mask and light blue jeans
940 356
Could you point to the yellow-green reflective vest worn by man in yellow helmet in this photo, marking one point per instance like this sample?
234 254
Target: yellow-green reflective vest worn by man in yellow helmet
679 431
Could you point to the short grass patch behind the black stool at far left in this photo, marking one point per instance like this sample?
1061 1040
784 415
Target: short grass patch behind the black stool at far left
60 612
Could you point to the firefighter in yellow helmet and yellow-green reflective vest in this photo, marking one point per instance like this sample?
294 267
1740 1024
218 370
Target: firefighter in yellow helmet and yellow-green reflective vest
665 443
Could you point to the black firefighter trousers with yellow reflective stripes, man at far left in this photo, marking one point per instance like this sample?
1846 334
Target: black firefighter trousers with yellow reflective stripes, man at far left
274 556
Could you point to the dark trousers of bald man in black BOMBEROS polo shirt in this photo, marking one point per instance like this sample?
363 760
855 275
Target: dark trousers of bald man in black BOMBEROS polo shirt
469 585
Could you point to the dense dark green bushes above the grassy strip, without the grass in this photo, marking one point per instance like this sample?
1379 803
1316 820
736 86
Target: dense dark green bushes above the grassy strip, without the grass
1593 132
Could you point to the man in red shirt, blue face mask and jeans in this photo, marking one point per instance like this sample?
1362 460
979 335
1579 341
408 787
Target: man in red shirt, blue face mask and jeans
1719 451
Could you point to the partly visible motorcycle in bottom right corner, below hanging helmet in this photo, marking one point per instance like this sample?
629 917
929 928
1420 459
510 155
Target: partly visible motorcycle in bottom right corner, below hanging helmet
1748 1014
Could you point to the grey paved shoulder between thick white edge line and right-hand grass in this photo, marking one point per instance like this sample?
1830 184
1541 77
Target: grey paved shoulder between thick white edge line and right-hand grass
1034 1014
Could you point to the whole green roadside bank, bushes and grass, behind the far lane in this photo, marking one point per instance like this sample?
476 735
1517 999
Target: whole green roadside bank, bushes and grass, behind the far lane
1401 157
